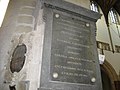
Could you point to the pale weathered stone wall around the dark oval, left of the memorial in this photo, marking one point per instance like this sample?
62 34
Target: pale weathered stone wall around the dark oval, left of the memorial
21 25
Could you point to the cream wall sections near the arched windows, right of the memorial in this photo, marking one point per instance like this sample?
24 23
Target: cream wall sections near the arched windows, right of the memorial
102 35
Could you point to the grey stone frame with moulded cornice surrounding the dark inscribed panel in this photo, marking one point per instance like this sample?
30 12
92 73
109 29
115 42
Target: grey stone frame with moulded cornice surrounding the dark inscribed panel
49 7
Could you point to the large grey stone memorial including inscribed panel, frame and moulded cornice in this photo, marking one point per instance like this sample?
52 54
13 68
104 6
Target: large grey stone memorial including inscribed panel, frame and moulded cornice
69 60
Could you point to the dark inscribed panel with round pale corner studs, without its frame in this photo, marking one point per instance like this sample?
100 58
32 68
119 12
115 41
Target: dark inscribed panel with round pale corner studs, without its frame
72 59
